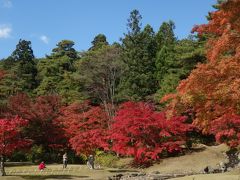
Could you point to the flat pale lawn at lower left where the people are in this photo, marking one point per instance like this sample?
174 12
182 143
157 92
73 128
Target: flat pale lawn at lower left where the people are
57 172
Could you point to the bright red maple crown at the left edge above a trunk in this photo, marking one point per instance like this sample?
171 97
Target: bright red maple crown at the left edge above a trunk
10 135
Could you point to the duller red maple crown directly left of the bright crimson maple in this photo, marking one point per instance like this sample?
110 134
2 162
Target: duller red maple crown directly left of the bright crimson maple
86 127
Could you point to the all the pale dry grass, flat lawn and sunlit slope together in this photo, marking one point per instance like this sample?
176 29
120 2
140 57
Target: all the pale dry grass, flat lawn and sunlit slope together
193 162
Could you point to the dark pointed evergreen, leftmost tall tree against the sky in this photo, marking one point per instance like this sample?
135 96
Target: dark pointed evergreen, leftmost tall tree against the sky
21 70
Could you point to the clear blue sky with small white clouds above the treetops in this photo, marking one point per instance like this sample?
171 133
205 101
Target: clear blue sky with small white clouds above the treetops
46 22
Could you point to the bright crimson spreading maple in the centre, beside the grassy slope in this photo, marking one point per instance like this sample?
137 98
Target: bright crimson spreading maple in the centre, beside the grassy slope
140 131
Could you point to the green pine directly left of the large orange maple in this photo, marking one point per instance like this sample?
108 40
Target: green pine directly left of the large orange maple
177 62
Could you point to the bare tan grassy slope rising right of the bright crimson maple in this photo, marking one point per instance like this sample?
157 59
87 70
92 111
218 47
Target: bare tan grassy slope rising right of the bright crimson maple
193 162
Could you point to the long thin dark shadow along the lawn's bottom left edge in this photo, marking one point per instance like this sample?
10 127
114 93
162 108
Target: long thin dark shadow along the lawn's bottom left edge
53 176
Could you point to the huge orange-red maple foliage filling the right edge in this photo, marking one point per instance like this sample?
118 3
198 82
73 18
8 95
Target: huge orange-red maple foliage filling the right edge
212 90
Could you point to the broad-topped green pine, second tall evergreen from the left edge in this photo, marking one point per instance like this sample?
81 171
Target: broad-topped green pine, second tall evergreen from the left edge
56 73
